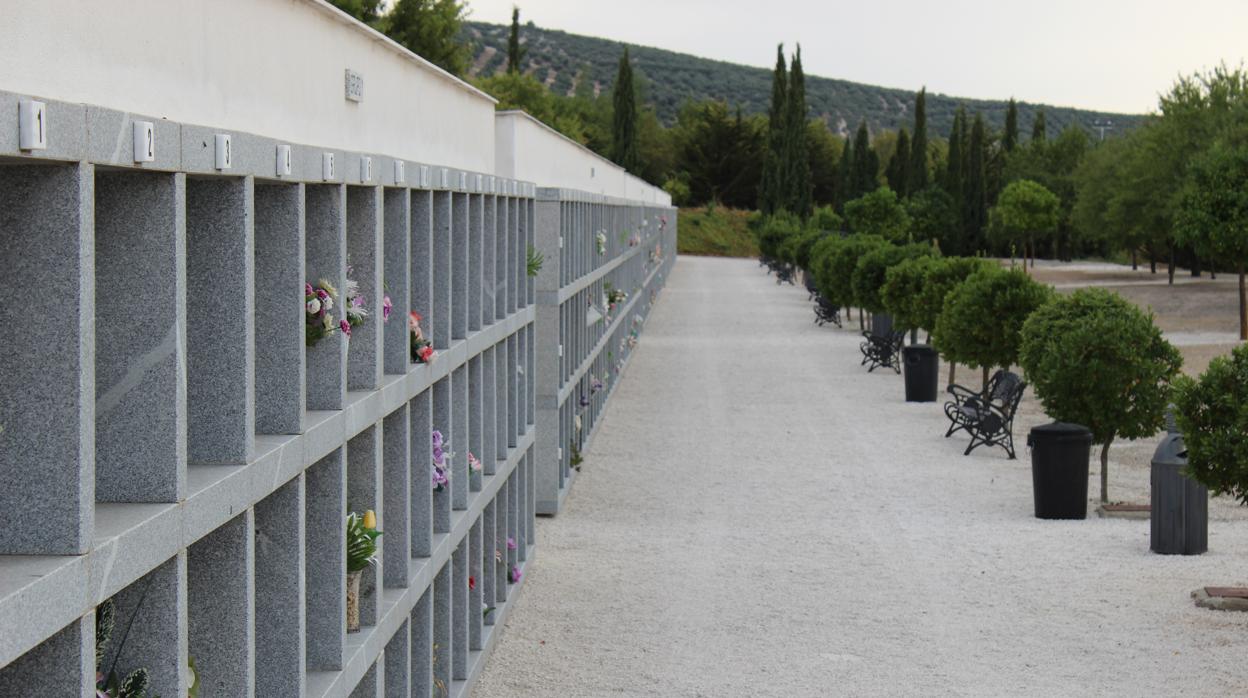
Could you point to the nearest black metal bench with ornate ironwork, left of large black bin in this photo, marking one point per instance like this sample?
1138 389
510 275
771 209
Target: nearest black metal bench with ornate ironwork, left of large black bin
990 423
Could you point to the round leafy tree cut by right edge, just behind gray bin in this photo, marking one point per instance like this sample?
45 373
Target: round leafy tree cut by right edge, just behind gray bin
1212 413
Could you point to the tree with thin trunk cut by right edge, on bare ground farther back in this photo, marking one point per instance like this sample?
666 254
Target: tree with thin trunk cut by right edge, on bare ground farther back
1214 213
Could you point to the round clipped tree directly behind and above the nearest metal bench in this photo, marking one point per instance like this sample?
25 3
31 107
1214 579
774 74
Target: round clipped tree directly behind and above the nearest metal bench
982 320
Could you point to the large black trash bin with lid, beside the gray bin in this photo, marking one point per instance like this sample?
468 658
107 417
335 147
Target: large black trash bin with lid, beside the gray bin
1060 455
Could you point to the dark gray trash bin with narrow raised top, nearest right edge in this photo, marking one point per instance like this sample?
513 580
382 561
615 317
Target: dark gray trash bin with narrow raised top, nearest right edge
1181 505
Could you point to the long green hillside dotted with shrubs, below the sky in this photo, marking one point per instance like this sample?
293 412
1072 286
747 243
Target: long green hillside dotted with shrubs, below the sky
568 63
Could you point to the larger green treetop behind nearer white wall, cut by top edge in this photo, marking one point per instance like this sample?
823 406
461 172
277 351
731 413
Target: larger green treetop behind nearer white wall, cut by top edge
430 29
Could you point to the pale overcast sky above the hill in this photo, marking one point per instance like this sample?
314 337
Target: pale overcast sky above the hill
1114 56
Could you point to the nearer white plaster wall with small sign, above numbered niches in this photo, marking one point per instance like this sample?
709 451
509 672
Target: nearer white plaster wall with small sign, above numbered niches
273 68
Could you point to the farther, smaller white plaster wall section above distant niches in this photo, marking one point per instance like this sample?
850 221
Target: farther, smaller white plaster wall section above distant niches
532 152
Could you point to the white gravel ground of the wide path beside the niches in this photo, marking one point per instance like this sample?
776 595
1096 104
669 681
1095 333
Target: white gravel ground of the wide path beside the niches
759 516
